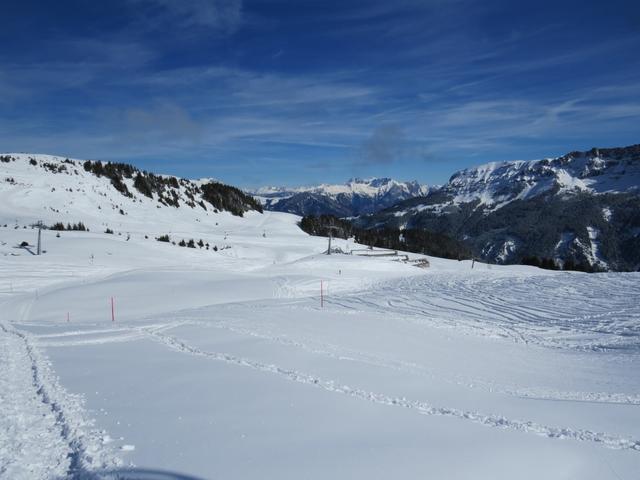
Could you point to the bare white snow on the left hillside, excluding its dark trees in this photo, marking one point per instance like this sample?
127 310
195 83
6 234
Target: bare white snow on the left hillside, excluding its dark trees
56 189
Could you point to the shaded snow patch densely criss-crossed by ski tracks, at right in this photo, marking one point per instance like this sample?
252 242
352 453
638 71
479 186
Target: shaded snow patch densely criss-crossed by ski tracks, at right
562 315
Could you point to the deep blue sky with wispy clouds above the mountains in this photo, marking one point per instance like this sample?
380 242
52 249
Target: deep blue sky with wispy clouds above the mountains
300 92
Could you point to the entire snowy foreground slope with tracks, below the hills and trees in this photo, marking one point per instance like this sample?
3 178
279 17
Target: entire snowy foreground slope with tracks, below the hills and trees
224 365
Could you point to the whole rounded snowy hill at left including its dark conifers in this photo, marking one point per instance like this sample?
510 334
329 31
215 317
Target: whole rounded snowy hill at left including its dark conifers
105 195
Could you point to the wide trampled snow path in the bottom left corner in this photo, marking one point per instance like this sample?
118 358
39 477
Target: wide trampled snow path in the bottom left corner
44 431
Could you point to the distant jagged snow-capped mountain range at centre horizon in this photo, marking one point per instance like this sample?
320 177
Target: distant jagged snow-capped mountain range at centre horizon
356 197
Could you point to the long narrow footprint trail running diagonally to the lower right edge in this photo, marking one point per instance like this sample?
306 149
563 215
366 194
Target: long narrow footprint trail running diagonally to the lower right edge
424 408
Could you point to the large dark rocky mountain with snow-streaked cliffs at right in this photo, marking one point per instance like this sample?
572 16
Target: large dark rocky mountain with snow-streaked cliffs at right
583 207
